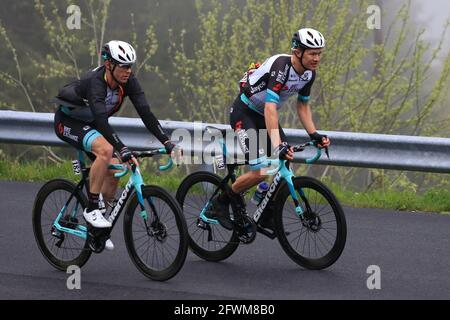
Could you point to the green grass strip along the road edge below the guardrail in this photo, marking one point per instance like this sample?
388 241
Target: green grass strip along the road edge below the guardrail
433 200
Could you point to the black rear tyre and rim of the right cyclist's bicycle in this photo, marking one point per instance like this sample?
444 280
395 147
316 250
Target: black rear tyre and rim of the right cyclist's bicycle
201 249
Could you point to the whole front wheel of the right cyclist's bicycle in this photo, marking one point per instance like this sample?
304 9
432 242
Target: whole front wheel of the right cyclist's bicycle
316 239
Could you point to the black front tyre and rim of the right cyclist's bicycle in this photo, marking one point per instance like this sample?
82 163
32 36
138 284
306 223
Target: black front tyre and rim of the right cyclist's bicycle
310 185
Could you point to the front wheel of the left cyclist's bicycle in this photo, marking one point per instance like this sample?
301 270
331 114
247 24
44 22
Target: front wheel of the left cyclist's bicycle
157 243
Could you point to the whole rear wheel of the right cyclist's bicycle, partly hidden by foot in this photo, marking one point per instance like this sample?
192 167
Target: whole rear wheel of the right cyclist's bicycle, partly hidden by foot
214 243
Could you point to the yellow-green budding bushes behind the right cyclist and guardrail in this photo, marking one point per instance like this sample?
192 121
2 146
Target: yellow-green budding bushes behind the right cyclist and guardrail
367 82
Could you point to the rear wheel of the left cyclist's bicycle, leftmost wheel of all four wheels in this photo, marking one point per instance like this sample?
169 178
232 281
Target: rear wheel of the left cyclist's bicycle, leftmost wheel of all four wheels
61 249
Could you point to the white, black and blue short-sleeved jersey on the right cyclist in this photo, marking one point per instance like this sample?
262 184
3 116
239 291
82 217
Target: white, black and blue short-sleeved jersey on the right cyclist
275 81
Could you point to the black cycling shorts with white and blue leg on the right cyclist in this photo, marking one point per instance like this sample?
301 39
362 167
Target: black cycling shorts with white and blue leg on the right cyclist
250 128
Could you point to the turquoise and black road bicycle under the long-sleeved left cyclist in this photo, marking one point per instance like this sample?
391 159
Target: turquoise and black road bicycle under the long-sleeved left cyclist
154 227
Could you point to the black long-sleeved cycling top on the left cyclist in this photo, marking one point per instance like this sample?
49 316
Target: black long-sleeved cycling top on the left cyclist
90 100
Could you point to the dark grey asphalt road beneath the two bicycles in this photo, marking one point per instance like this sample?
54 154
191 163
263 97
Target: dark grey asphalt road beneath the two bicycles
412 251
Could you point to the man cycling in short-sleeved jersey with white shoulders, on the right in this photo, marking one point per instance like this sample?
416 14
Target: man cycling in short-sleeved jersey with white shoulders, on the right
263 90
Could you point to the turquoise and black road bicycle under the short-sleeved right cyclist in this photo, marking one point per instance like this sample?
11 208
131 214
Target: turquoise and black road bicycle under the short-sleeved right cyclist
307 218
